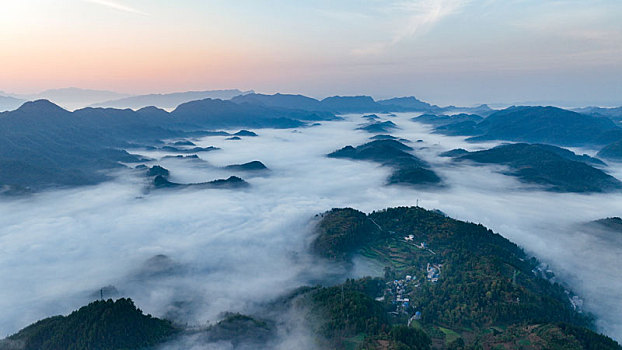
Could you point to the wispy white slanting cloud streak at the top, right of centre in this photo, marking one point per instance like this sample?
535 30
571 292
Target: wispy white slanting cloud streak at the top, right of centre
421 15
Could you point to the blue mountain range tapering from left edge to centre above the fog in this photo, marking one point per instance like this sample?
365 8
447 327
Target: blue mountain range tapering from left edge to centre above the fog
42 144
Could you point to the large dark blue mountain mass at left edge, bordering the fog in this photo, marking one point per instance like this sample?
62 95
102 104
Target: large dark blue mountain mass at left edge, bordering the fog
42 144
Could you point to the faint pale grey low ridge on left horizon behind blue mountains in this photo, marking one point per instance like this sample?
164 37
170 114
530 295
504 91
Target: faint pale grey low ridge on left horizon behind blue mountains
170 100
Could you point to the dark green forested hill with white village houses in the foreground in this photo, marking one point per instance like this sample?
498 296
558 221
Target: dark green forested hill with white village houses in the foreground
447 284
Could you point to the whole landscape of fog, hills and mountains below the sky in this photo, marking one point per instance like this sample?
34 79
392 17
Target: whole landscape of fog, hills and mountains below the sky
238 220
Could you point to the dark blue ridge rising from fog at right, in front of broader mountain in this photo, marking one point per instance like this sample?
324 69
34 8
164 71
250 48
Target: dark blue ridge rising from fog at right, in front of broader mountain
556 169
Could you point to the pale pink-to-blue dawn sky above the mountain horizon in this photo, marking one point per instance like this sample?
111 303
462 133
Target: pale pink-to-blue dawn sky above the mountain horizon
443 51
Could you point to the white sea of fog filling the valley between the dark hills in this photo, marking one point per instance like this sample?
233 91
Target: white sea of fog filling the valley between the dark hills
191 254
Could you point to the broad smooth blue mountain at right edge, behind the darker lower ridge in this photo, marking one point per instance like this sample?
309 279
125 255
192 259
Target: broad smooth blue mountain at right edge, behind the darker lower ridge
547 125
